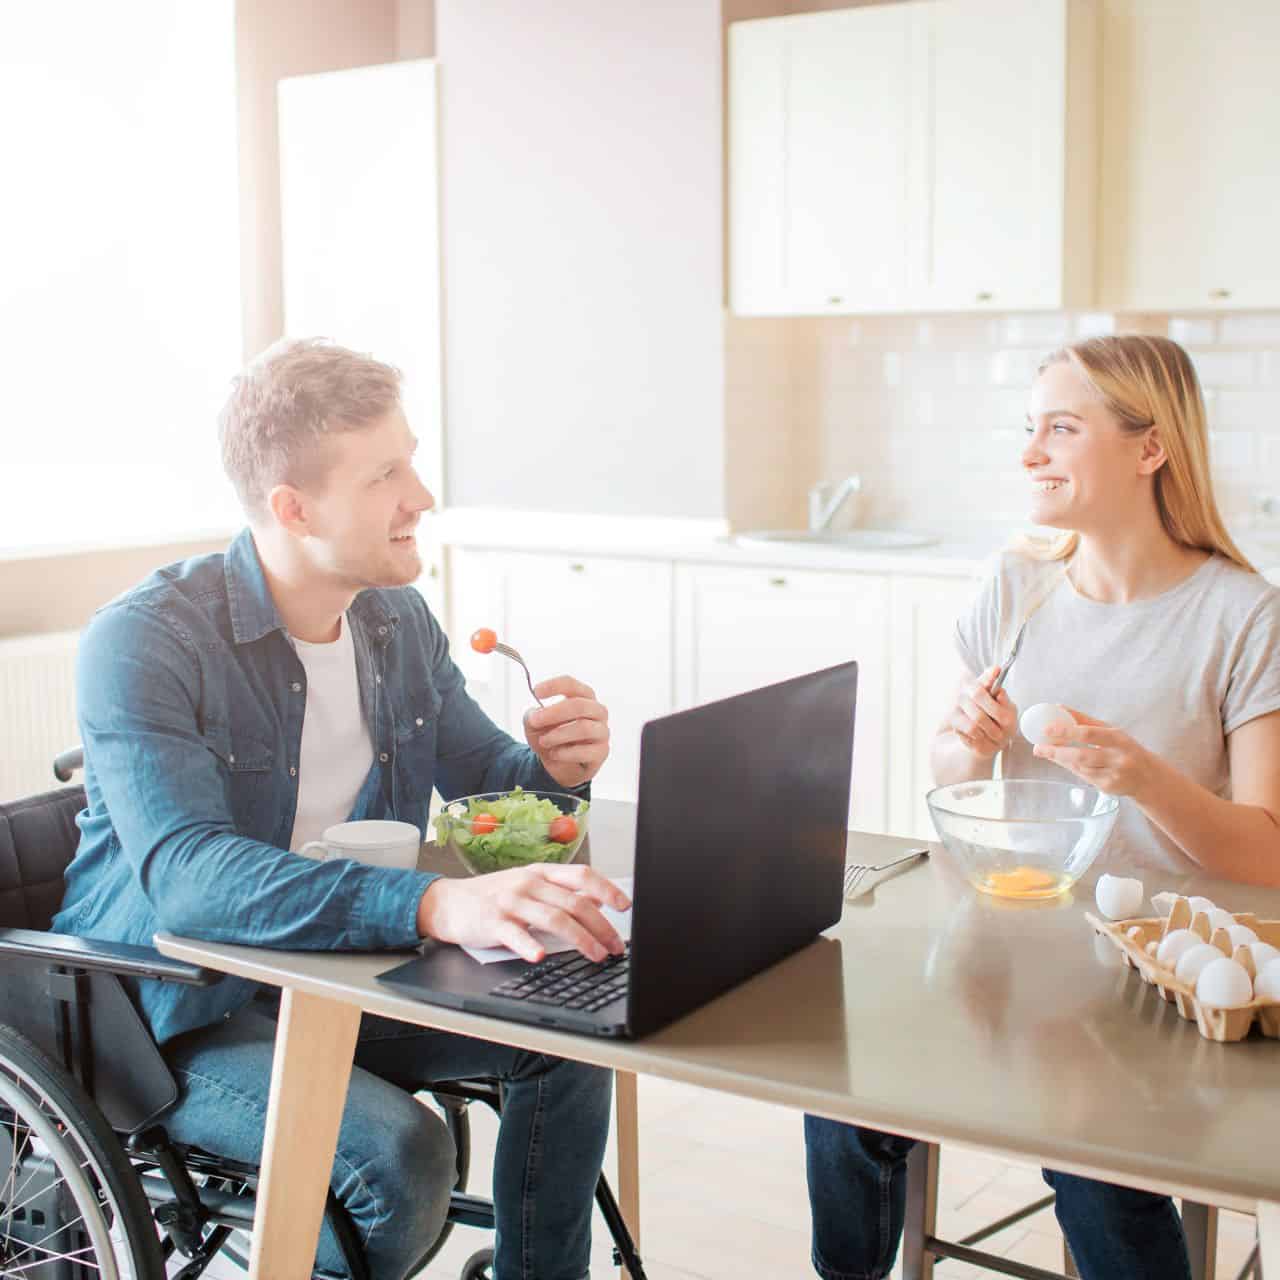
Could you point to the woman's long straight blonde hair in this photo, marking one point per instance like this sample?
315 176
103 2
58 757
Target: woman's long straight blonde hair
1151 382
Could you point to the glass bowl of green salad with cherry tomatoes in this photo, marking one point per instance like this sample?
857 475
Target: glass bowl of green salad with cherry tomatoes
500 830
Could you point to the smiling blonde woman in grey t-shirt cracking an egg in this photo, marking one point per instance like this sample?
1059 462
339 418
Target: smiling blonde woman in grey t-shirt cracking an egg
1154 629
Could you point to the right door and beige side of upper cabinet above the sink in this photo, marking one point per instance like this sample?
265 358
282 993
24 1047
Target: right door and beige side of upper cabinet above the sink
1005 211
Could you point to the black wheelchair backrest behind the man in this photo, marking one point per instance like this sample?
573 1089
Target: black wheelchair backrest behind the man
38 839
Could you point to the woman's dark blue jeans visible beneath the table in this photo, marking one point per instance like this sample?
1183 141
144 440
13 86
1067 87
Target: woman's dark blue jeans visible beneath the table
858 1197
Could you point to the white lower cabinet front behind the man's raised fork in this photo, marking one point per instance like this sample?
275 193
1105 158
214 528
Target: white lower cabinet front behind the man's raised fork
604 620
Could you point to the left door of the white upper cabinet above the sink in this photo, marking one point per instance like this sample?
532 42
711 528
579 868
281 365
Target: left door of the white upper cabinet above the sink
820 162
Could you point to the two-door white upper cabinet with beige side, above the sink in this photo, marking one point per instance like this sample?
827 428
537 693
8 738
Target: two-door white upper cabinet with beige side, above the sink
913 157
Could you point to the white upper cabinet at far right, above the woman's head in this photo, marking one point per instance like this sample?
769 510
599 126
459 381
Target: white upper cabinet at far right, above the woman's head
1191 173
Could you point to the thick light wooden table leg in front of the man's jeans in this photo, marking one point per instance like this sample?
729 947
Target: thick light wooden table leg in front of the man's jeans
316 1043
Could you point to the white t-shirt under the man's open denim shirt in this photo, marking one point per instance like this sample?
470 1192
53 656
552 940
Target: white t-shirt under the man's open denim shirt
337 751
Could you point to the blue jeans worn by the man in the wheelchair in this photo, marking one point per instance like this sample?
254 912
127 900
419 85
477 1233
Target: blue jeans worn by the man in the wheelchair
395 1164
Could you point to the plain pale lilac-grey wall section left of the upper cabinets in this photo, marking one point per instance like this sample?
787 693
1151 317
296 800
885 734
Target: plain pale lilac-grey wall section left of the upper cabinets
582 227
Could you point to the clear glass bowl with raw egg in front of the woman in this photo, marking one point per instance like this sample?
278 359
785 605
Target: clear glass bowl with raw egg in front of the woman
1023 838
